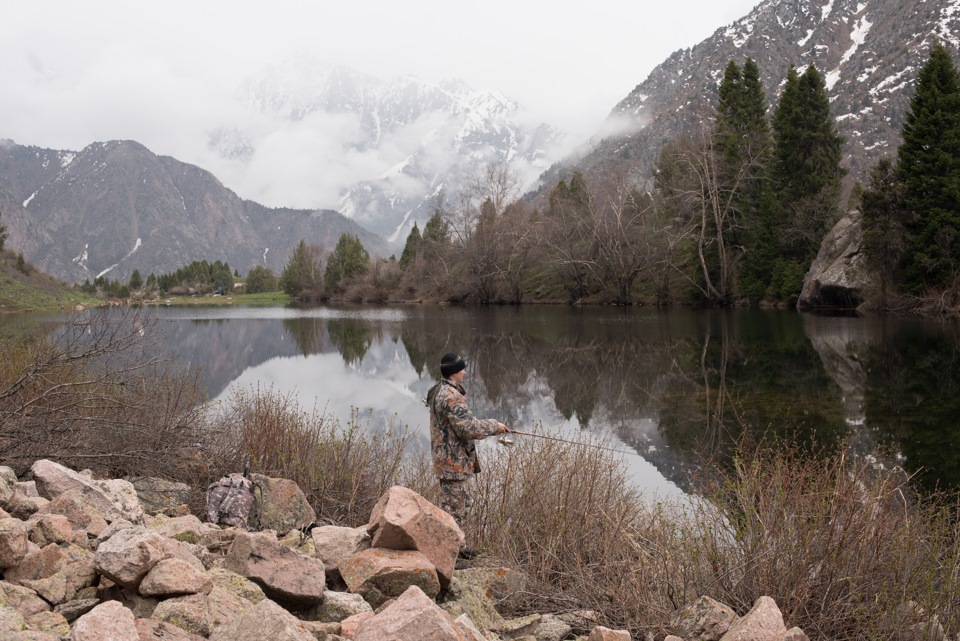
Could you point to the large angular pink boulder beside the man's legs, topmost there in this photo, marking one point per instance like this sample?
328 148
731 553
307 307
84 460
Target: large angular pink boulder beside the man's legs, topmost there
404 520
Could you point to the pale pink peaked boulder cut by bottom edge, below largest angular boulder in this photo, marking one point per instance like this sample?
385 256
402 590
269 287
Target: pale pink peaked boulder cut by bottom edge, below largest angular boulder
412 617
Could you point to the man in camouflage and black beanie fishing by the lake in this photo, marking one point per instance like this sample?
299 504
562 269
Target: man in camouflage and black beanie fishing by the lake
453 430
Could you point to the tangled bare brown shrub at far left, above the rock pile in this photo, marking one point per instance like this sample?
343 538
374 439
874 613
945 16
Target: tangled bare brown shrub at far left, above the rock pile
92 396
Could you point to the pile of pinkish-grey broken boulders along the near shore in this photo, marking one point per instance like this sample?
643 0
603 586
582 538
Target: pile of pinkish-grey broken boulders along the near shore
90 560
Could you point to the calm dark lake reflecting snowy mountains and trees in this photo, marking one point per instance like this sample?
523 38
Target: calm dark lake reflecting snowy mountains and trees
658 386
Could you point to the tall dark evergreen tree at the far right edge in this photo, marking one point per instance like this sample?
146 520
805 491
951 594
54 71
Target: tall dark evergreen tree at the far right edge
928 162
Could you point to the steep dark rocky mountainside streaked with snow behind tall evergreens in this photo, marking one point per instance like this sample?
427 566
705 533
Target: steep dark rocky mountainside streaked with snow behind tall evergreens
868 51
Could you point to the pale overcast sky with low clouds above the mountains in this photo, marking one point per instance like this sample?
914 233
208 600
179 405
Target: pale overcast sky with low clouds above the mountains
72 73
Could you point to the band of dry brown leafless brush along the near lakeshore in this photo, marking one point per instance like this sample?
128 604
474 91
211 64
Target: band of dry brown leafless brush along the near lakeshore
840 544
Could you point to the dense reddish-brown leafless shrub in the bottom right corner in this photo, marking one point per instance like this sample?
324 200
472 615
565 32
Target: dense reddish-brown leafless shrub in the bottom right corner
837 543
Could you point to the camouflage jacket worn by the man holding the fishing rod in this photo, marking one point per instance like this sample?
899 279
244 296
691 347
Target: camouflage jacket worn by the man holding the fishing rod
453 430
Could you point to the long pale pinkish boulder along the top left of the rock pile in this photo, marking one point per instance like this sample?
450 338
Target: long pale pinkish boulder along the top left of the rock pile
114 498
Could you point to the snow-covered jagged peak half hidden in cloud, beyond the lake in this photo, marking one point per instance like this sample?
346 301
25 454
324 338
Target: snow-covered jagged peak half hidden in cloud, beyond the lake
436 136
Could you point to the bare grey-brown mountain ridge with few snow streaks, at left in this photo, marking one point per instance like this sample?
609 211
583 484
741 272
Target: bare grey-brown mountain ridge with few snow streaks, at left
115 206
